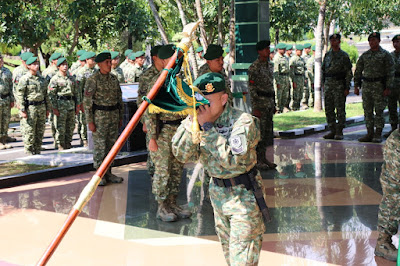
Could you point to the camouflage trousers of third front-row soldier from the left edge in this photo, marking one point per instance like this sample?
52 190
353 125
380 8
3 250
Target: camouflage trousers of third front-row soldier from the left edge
65 125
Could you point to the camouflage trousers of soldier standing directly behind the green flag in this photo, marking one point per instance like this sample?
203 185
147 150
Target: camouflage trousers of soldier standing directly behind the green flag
168 170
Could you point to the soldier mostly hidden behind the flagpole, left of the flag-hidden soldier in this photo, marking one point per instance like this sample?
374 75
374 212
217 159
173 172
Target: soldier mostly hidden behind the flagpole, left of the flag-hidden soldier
144 88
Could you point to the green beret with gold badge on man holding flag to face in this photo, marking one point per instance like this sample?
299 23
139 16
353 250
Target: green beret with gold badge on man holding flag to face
210 83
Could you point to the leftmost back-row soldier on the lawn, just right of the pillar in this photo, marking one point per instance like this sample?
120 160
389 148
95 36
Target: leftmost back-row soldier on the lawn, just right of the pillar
281 77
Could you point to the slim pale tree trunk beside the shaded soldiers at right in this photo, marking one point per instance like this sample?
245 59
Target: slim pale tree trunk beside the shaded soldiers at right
318 57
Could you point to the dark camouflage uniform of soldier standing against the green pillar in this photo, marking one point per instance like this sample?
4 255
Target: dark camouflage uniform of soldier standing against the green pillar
262 97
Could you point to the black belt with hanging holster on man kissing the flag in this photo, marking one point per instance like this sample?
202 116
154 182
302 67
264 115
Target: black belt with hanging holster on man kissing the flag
250 183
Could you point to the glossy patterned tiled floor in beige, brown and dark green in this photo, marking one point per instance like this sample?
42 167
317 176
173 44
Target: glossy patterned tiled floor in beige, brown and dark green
323 198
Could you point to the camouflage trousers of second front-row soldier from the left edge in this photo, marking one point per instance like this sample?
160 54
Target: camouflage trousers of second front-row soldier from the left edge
33 128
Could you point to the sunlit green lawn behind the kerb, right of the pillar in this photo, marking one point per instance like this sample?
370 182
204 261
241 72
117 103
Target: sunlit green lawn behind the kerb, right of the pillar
299 119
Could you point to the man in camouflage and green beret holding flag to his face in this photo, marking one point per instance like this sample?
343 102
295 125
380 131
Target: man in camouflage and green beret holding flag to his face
228 153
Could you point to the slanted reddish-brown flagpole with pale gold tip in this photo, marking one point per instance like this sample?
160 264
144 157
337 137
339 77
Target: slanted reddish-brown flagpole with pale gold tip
88 191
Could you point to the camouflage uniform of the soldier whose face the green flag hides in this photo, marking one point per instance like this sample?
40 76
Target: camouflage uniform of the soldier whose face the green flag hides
168 170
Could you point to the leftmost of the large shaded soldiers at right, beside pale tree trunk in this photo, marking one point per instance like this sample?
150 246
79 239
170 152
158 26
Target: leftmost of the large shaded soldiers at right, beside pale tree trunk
336 78
